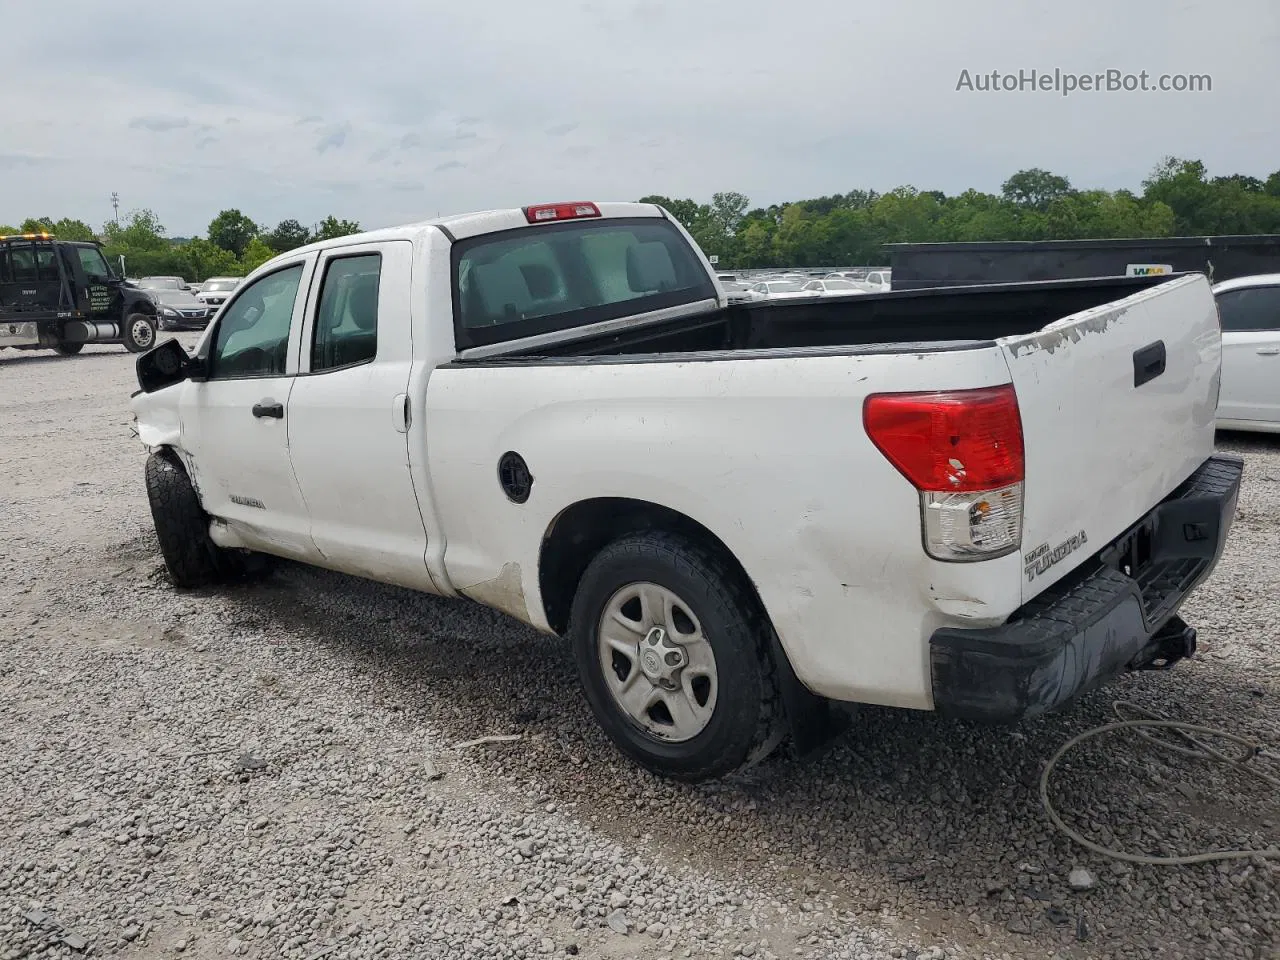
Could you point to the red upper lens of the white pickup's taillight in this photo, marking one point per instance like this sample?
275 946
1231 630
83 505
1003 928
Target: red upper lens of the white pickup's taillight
950 442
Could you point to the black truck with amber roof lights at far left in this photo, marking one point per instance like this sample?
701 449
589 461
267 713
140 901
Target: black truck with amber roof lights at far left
61 295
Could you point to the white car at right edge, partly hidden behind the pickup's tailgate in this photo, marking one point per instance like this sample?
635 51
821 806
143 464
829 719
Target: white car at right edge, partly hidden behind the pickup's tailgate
1250 312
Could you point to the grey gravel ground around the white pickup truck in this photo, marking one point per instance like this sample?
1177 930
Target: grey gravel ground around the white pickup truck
282 770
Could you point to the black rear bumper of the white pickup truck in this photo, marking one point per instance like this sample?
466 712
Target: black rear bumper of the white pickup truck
1116 614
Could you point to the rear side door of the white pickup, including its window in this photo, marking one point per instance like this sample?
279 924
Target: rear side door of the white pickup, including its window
350 415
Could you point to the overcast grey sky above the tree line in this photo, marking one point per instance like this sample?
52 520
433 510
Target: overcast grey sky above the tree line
392 111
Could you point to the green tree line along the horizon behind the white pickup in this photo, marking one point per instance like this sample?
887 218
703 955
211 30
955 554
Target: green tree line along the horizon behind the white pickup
1178 199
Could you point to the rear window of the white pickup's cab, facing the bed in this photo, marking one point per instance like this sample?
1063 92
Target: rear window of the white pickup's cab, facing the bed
557 277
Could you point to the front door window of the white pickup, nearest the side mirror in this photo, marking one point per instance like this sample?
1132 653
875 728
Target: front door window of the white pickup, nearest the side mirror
253 337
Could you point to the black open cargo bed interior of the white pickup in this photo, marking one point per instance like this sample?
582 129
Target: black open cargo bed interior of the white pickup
907 321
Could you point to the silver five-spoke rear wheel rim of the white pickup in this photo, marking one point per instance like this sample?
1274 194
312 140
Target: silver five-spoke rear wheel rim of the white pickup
657 664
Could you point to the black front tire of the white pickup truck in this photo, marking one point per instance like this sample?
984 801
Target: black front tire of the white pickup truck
182 527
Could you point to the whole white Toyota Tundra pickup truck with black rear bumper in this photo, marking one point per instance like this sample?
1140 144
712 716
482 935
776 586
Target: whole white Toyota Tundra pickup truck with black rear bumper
977 501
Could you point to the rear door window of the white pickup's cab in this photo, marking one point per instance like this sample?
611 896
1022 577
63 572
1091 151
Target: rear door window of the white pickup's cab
346 326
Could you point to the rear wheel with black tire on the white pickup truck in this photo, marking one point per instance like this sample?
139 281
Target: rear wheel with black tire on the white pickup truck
732 723
